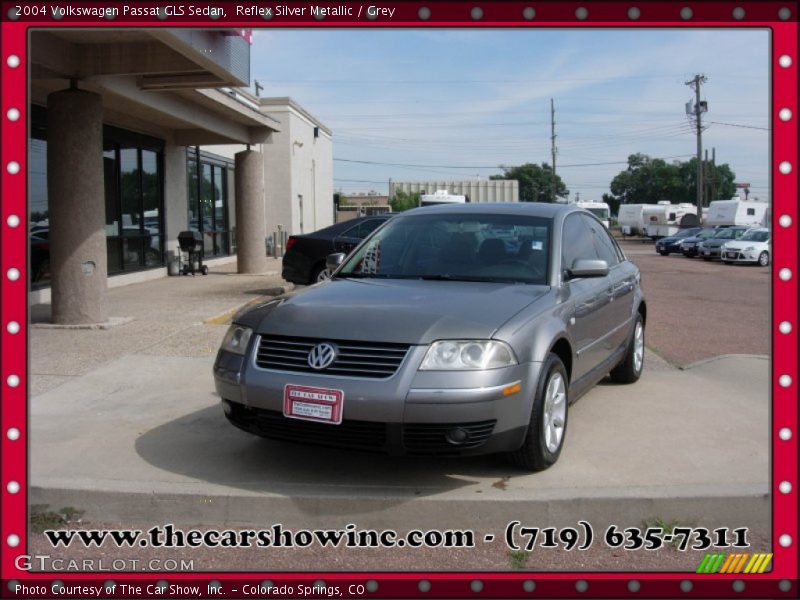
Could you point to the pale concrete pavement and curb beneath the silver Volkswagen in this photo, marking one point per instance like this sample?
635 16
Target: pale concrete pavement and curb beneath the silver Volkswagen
124 424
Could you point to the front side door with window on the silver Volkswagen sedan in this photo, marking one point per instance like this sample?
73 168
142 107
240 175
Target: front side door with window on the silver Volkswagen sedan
589 297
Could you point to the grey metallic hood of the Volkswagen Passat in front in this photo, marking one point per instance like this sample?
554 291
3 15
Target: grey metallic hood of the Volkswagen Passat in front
403 311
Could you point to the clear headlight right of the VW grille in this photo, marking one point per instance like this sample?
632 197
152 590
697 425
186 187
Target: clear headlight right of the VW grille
468 355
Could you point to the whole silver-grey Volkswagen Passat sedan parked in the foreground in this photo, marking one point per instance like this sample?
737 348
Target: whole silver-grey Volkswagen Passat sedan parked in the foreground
463 329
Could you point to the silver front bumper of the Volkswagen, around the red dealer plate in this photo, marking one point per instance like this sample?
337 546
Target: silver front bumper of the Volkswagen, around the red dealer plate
410 413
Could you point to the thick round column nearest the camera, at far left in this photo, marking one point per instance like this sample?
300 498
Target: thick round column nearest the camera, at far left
77 207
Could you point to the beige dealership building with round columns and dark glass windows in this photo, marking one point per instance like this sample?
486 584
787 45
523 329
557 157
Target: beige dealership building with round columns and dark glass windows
137 135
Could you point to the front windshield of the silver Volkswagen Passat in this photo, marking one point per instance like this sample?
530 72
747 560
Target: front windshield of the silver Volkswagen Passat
459 247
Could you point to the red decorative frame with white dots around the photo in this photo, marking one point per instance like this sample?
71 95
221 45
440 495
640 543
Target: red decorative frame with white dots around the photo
782 581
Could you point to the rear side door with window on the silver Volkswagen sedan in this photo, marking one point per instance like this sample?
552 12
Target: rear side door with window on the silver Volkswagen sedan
621 285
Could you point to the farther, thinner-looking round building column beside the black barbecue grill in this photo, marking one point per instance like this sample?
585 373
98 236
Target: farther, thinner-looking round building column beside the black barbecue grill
251 227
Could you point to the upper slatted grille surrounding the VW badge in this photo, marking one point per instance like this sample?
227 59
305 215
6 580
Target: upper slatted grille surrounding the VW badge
375 360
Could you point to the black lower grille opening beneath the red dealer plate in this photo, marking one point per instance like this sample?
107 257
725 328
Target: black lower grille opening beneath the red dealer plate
364 435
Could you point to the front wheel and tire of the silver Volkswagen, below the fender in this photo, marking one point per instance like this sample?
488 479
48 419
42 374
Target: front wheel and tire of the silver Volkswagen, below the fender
547 428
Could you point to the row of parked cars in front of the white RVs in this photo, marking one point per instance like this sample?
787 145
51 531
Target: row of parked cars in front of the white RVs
729 244
